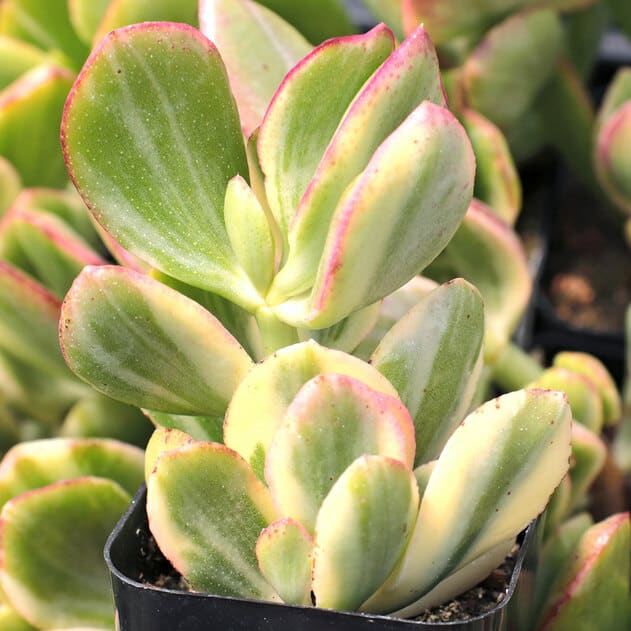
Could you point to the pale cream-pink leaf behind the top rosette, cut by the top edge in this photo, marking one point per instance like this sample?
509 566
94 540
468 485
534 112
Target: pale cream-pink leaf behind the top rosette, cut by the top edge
258 47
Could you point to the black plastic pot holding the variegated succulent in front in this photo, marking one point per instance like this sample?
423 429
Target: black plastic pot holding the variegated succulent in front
142 607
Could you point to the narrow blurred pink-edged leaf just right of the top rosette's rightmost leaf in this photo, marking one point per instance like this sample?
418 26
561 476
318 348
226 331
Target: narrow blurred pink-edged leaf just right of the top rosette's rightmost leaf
496 180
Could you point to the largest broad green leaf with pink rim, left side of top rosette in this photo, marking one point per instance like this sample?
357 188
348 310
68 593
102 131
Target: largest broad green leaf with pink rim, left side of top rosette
168 141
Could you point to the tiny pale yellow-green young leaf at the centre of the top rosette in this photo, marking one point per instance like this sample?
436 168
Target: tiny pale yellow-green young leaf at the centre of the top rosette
249 233
